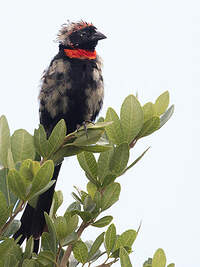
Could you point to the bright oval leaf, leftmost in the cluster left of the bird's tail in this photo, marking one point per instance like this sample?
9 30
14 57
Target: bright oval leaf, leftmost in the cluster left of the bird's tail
17 184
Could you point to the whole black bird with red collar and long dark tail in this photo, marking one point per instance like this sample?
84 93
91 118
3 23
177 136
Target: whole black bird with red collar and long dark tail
72 89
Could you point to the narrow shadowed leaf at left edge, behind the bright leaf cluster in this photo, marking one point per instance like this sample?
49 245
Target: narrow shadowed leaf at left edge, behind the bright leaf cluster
10 197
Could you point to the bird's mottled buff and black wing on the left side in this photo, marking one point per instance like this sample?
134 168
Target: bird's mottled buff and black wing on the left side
53 98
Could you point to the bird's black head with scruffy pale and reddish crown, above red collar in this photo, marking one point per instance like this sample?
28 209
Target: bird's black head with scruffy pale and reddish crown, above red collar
80 35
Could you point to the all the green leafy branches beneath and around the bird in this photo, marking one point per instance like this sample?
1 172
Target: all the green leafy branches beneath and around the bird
27 168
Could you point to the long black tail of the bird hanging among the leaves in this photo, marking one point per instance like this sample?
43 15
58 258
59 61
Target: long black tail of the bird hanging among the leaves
33 220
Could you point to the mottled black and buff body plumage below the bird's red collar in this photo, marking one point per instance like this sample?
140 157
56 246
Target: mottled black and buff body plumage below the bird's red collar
71 89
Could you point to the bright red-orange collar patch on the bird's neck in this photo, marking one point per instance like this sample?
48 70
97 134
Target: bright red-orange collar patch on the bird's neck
80 53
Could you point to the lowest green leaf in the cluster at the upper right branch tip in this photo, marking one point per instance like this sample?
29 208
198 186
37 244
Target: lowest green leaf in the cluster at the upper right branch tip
149 127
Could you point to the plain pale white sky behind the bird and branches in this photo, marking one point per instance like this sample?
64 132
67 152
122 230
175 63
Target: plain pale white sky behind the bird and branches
152 46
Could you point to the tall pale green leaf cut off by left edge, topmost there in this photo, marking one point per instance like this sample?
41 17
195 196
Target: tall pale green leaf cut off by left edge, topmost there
4 141
